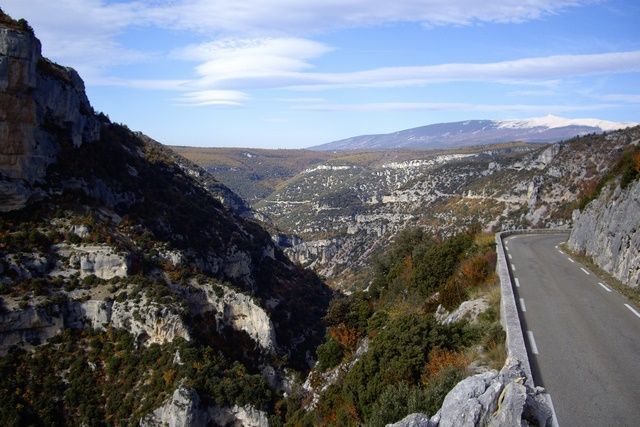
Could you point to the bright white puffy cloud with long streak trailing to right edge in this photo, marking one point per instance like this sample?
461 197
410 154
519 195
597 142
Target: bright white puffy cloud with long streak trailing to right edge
283 63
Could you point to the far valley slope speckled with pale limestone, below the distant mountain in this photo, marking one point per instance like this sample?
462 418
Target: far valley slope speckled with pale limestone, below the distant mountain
334 215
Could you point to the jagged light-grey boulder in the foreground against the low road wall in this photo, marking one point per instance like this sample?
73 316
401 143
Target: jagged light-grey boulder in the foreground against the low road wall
491 398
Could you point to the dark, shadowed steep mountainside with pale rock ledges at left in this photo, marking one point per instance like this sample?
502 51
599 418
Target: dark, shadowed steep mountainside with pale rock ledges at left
129 275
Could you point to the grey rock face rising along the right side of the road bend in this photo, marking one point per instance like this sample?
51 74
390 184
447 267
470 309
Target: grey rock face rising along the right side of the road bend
608 231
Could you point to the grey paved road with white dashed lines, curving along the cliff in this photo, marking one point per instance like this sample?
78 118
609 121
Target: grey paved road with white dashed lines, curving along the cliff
583 342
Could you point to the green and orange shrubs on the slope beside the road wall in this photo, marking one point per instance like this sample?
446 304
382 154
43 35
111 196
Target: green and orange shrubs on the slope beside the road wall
412 360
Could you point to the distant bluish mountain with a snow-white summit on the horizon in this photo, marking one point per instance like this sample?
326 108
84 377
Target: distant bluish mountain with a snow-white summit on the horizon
475 132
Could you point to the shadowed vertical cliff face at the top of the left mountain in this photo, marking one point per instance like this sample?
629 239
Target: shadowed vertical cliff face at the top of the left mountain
36 96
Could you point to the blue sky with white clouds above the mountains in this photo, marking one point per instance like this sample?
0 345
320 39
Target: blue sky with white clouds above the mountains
297 73
